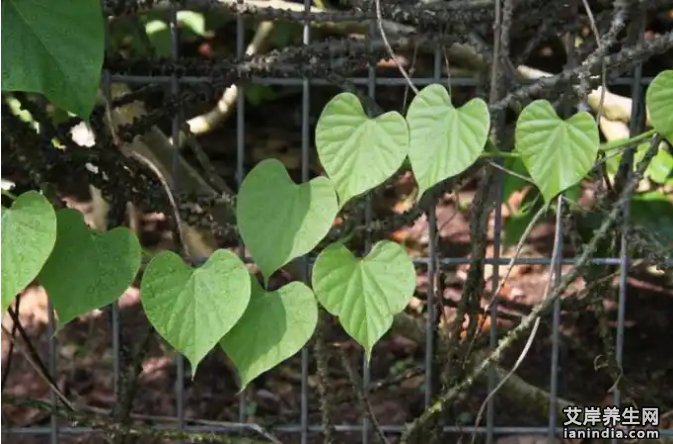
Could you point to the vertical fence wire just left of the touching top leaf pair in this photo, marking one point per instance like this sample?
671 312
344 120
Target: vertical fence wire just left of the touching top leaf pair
305 163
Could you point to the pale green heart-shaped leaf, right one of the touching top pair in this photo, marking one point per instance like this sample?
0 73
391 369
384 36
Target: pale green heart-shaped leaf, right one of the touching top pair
444 141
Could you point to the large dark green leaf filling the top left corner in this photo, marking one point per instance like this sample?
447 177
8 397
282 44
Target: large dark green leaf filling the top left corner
54 48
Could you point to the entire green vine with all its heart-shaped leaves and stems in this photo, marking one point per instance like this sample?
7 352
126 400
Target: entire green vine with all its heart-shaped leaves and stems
222 303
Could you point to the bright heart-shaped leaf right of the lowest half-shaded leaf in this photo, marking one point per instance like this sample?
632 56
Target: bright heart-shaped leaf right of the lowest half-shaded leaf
364 293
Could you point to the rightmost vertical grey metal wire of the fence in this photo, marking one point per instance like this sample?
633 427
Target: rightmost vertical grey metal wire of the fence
635 127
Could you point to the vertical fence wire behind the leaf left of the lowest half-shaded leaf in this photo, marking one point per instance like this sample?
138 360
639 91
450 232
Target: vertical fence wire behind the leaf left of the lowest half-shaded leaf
175 142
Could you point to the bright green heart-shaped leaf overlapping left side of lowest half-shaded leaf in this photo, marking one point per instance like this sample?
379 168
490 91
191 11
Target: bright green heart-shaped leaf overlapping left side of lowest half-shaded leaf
193 308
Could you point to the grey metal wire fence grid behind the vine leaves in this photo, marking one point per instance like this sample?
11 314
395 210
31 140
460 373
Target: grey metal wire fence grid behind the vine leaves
303 429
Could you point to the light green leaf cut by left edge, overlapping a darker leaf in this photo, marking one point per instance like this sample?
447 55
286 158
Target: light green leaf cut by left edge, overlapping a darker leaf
28 236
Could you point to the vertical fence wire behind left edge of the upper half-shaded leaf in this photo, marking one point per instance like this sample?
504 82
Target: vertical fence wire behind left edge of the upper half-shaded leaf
240 158
